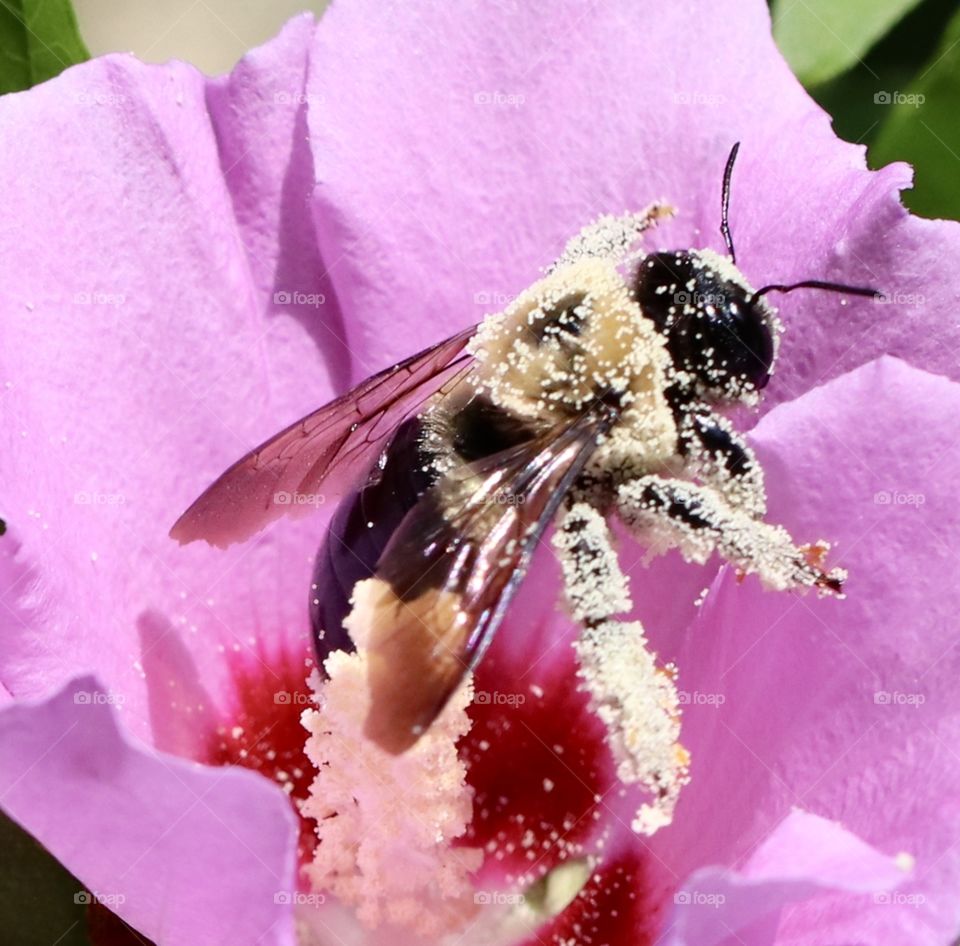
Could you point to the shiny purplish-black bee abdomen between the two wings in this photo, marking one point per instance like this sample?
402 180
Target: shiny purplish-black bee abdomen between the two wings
360 530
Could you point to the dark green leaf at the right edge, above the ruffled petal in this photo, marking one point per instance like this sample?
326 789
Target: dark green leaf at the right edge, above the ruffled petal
921 127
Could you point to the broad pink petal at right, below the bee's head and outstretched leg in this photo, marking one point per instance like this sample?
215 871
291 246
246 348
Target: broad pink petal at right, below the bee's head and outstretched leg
847 708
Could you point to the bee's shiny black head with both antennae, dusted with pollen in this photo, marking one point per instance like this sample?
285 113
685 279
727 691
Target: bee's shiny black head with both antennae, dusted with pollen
721 334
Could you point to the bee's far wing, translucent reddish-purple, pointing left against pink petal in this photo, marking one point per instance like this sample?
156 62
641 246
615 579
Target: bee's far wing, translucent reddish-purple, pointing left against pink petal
284 475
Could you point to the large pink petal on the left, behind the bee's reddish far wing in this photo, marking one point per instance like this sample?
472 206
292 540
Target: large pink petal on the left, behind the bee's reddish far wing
143 352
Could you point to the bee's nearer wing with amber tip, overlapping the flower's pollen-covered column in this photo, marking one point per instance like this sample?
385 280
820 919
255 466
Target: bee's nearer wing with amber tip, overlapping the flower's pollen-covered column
443 584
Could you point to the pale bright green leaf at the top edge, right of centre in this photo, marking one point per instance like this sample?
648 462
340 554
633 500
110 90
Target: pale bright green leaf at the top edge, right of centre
823 38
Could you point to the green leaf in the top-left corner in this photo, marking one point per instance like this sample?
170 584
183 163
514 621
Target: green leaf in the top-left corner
38 40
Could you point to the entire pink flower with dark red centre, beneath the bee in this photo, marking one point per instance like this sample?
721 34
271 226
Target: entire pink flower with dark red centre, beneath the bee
192 263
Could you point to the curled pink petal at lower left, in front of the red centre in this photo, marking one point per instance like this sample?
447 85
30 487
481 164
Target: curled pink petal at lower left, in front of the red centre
145 831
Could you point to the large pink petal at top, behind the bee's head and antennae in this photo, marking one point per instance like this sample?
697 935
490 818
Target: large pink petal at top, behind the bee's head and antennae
487 135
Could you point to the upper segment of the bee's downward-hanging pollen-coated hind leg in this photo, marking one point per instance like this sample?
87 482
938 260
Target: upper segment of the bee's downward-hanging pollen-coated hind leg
595 587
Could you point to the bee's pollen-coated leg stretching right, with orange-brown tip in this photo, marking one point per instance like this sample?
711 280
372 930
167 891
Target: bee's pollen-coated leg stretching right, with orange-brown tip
697 520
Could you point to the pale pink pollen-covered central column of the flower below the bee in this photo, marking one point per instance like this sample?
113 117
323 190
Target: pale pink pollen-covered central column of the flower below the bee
386 822
